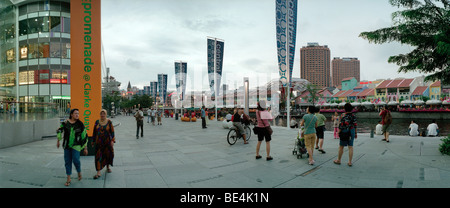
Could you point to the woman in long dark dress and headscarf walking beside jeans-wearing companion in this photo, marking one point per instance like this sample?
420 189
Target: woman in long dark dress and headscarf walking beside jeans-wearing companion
103 141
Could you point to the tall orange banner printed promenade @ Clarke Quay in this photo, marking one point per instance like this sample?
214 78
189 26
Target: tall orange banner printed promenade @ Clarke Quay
86 92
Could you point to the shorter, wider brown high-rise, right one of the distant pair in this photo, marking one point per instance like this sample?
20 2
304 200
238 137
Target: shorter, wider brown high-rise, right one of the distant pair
345 68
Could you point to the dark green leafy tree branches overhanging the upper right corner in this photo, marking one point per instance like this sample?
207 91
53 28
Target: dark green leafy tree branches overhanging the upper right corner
426 26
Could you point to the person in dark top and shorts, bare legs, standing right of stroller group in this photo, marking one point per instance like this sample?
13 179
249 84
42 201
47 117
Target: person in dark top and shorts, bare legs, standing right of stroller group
347 134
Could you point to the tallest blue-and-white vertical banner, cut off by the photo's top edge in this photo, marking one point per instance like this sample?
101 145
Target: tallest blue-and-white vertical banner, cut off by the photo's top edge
286 22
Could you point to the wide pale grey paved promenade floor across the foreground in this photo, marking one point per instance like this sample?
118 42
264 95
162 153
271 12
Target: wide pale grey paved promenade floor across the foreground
183 155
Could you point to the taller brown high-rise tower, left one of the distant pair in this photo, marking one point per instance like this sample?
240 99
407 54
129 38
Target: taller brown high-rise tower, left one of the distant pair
315 64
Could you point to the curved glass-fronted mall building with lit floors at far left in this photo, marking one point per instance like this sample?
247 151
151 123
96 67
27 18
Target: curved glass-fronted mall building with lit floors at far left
35 52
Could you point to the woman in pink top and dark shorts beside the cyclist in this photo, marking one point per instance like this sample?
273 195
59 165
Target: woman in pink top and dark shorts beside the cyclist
263 131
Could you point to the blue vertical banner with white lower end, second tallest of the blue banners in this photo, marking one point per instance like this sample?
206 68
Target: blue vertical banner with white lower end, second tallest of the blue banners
219 50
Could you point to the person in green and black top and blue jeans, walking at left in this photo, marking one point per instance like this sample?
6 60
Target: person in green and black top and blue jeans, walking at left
74 136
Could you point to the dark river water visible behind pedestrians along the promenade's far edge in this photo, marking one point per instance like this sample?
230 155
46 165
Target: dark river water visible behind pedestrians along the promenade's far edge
398 126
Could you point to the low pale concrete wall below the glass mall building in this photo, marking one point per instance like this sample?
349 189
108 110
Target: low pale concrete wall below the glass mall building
17 133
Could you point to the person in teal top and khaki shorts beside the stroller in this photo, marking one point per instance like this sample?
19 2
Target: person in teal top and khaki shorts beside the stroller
310 123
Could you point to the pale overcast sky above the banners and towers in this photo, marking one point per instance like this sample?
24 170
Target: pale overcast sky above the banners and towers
143 38
